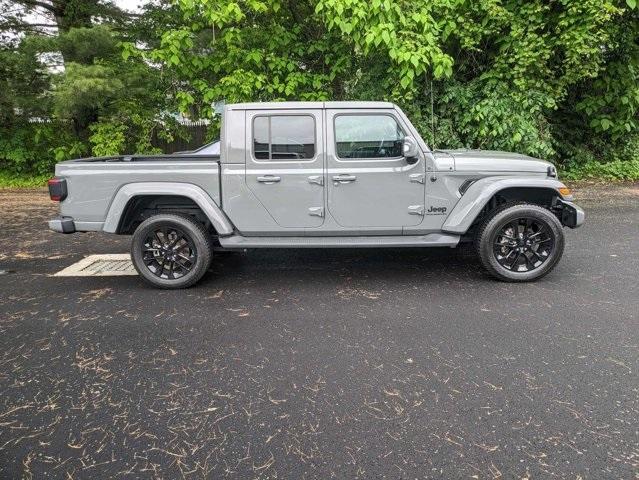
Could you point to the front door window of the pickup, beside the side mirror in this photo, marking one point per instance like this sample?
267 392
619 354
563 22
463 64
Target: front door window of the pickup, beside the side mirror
368 136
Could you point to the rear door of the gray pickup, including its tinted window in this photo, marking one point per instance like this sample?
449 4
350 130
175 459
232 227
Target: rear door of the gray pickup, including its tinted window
285 165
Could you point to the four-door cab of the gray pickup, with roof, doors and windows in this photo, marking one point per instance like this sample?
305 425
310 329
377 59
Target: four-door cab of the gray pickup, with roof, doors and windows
333 168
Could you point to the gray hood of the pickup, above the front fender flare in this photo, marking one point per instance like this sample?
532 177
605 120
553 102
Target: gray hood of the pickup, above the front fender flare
494 161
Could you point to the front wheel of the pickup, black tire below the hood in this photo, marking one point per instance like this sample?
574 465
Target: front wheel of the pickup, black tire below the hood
520 242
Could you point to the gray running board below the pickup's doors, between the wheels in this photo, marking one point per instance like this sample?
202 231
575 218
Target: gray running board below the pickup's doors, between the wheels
429 240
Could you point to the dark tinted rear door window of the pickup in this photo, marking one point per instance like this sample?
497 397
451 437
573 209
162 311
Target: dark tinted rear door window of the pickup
284 137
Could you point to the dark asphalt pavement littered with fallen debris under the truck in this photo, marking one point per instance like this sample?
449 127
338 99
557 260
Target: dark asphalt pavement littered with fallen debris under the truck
321 363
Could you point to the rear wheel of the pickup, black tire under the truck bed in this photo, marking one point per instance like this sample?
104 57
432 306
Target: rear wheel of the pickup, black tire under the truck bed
164 260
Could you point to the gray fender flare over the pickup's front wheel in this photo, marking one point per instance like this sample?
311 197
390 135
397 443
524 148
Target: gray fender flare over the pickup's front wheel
479 194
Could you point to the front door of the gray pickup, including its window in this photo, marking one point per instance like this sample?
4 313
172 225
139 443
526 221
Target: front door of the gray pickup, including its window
370 183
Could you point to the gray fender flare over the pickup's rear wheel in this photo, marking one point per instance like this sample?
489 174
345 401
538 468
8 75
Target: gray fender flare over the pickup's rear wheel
220 222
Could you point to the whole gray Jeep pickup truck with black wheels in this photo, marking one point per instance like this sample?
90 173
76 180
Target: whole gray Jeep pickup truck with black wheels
316 175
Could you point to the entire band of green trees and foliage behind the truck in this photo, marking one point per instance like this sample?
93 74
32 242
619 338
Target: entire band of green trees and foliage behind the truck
558 80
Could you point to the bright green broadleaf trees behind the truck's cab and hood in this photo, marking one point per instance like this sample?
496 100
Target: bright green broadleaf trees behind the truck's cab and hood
502 74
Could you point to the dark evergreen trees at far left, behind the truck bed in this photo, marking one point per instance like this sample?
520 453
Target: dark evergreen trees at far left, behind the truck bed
79 88
